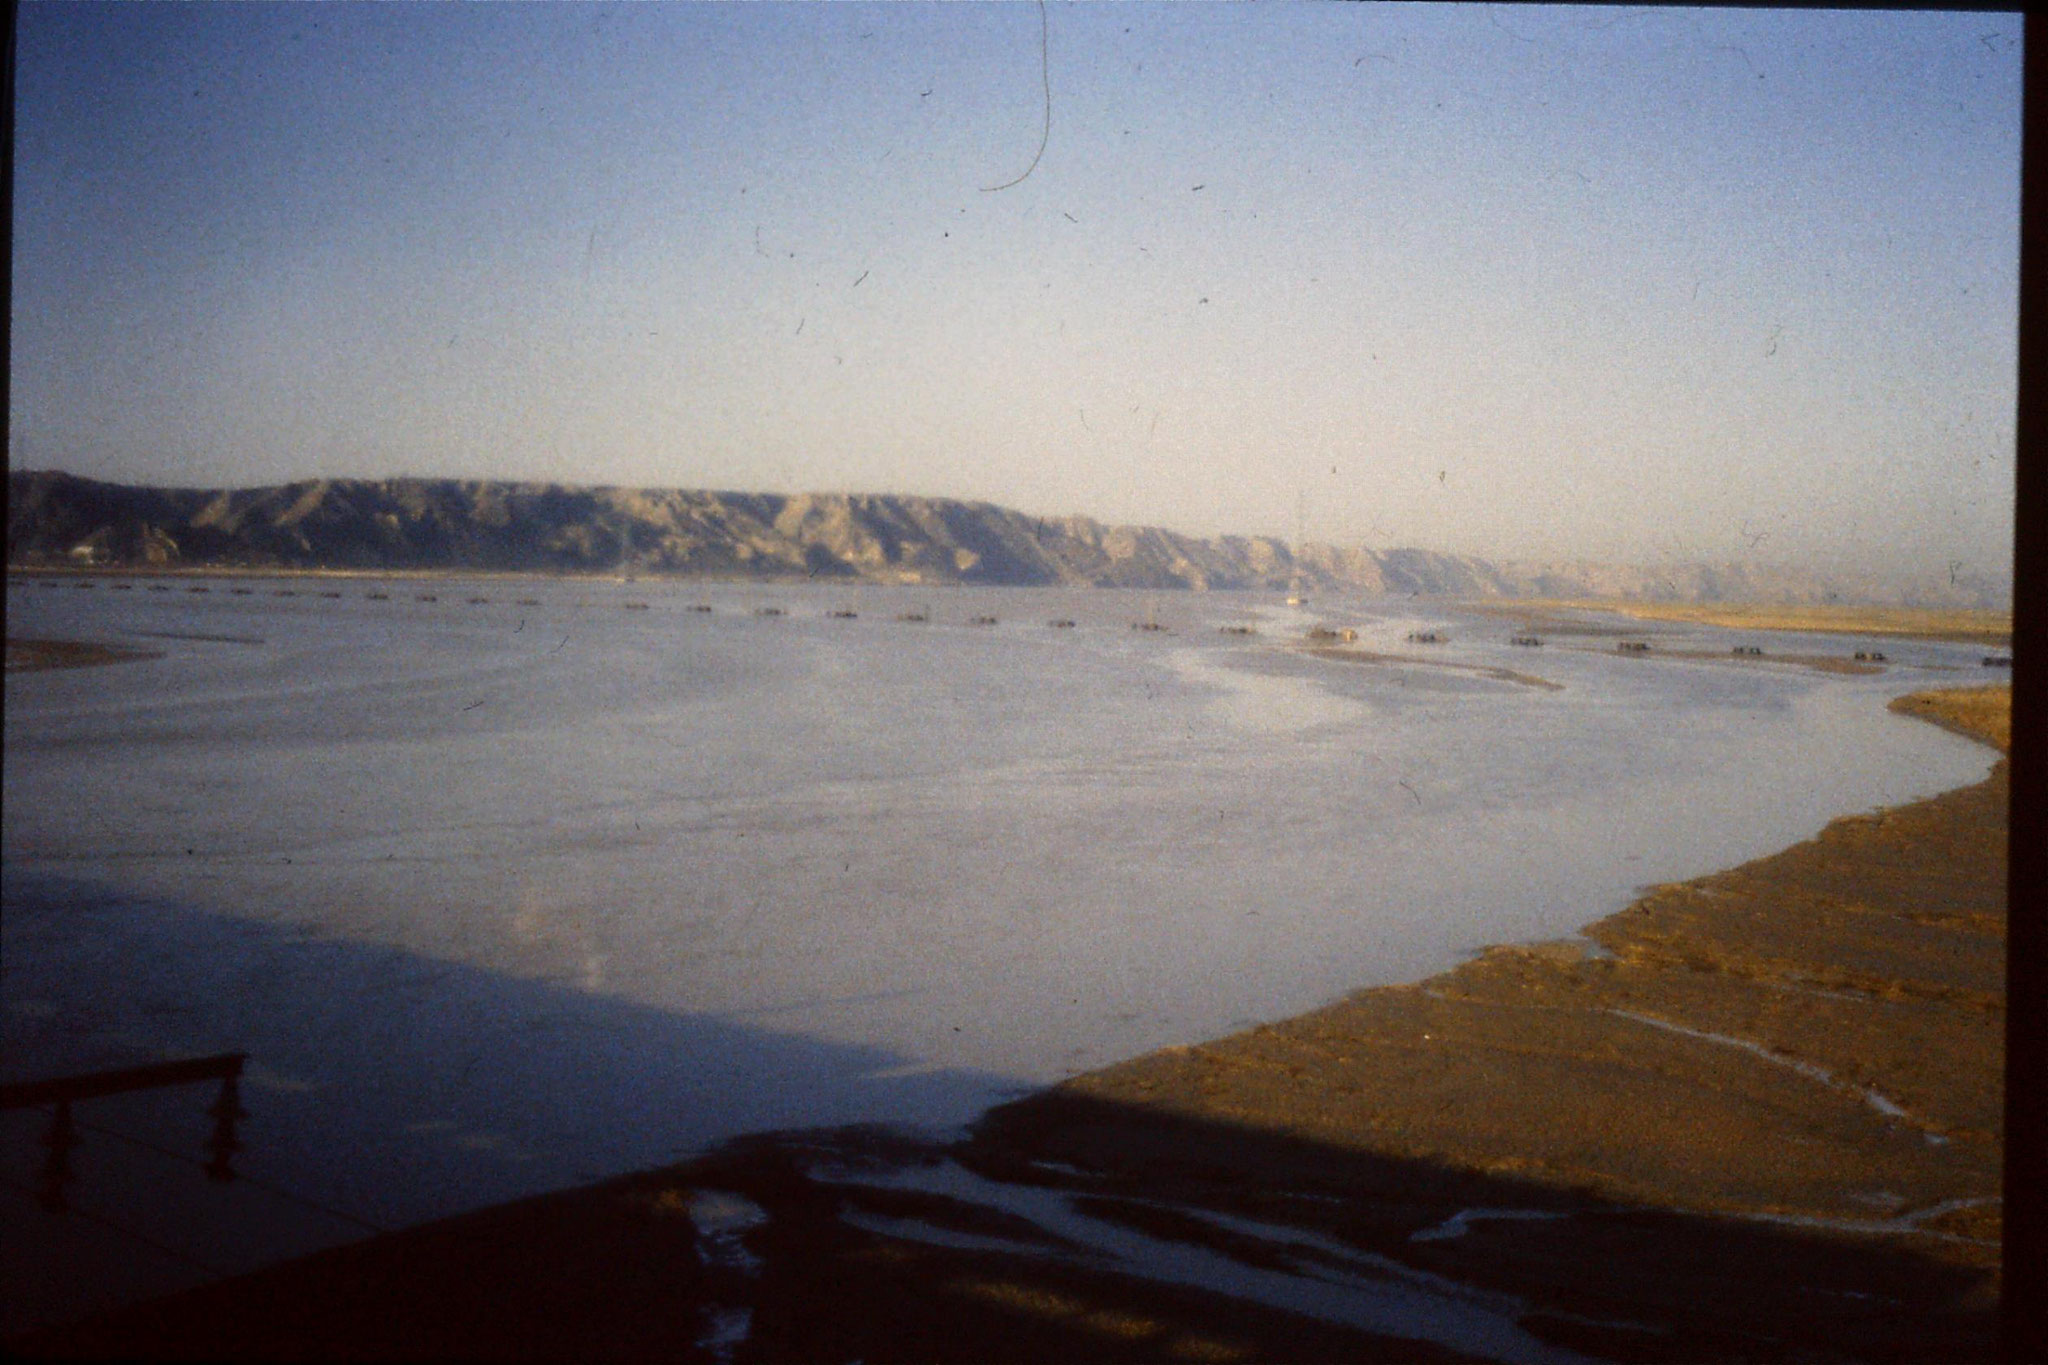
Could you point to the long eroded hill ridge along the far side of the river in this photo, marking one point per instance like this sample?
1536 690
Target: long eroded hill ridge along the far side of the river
58 519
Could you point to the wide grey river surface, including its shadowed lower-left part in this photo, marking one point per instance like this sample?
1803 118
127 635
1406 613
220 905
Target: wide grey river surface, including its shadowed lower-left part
546 881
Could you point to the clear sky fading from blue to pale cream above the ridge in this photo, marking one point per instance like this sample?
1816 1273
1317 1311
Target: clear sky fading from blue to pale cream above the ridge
1529 283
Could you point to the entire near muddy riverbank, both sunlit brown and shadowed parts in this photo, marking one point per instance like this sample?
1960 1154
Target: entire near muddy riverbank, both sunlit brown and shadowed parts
1754 1116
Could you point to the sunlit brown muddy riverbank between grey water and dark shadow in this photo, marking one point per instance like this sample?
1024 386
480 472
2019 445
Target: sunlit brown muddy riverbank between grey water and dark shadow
1850 963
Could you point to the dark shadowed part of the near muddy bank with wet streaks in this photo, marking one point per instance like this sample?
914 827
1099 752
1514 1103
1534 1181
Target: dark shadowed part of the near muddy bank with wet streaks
1074 1231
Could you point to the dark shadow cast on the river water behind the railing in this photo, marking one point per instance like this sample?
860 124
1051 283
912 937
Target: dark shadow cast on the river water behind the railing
384 1090
